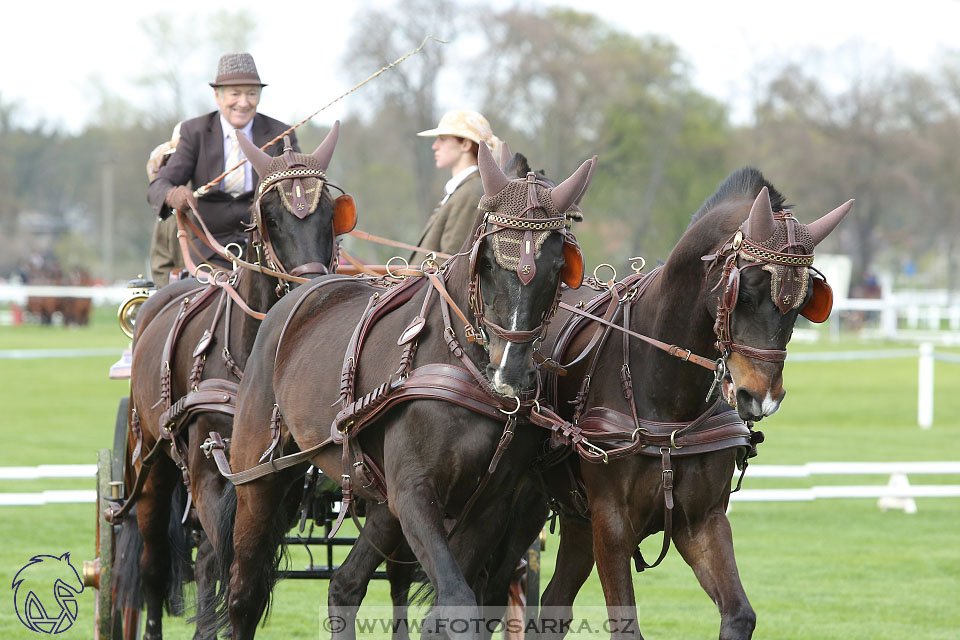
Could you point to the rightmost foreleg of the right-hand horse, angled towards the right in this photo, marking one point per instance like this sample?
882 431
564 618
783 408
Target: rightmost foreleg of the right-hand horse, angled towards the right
707 546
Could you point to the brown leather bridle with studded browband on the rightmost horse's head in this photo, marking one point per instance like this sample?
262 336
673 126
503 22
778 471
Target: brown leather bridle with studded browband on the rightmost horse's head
789 271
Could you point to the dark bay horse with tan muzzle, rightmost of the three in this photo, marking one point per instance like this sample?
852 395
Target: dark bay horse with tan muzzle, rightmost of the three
733 286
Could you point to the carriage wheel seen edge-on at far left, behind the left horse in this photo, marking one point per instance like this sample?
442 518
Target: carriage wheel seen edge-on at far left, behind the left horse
110 624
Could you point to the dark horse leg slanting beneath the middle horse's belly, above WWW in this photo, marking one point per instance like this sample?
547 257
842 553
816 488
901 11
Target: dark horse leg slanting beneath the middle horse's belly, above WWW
348 585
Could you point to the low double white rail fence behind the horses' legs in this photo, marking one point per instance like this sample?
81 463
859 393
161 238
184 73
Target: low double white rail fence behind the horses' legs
898 493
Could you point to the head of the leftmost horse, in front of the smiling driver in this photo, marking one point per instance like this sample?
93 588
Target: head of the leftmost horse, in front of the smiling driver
295 219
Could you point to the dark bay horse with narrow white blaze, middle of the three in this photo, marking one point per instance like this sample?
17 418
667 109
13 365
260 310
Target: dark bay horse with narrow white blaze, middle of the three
424 456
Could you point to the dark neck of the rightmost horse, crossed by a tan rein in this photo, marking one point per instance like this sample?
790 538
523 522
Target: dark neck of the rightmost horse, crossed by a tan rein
672 311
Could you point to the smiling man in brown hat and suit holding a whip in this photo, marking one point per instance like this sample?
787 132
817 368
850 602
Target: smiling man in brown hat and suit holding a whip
208 146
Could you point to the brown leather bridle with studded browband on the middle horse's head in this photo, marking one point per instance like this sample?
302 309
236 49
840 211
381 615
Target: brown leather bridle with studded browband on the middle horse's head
526 266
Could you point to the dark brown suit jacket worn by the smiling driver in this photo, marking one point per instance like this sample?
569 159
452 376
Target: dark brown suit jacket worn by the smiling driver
198 160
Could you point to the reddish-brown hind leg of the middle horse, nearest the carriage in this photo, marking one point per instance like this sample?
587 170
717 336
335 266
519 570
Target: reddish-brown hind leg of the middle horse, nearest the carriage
257 535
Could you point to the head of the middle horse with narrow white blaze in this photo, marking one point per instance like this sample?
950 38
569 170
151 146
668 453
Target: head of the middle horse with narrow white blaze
521 254
